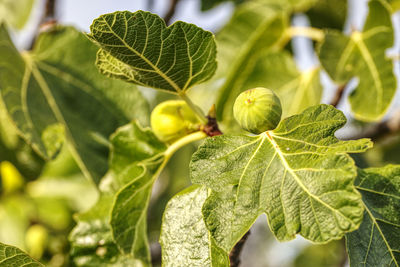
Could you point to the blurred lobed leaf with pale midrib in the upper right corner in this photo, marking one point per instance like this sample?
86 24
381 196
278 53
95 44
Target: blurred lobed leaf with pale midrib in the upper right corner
362 55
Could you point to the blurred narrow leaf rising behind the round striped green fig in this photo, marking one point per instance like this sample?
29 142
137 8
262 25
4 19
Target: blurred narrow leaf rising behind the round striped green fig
254 27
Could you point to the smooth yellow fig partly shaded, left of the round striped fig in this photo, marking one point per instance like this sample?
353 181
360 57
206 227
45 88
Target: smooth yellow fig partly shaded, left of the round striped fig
172 120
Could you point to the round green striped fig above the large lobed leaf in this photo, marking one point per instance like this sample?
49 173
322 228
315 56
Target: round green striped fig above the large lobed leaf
257 110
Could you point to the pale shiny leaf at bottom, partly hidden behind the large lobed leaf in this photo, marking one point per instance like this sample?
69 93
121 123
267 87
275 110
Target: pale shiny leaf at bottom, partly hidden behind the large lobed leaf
185 239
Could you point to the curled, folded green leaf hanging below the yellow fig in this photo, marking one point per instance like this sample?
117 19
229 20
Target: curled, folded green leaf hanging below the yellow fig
117 222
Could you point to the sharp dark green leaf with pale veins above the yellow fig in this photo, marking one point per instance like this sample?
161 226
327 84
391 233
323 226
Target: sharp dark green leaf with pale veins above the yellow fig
139 48
